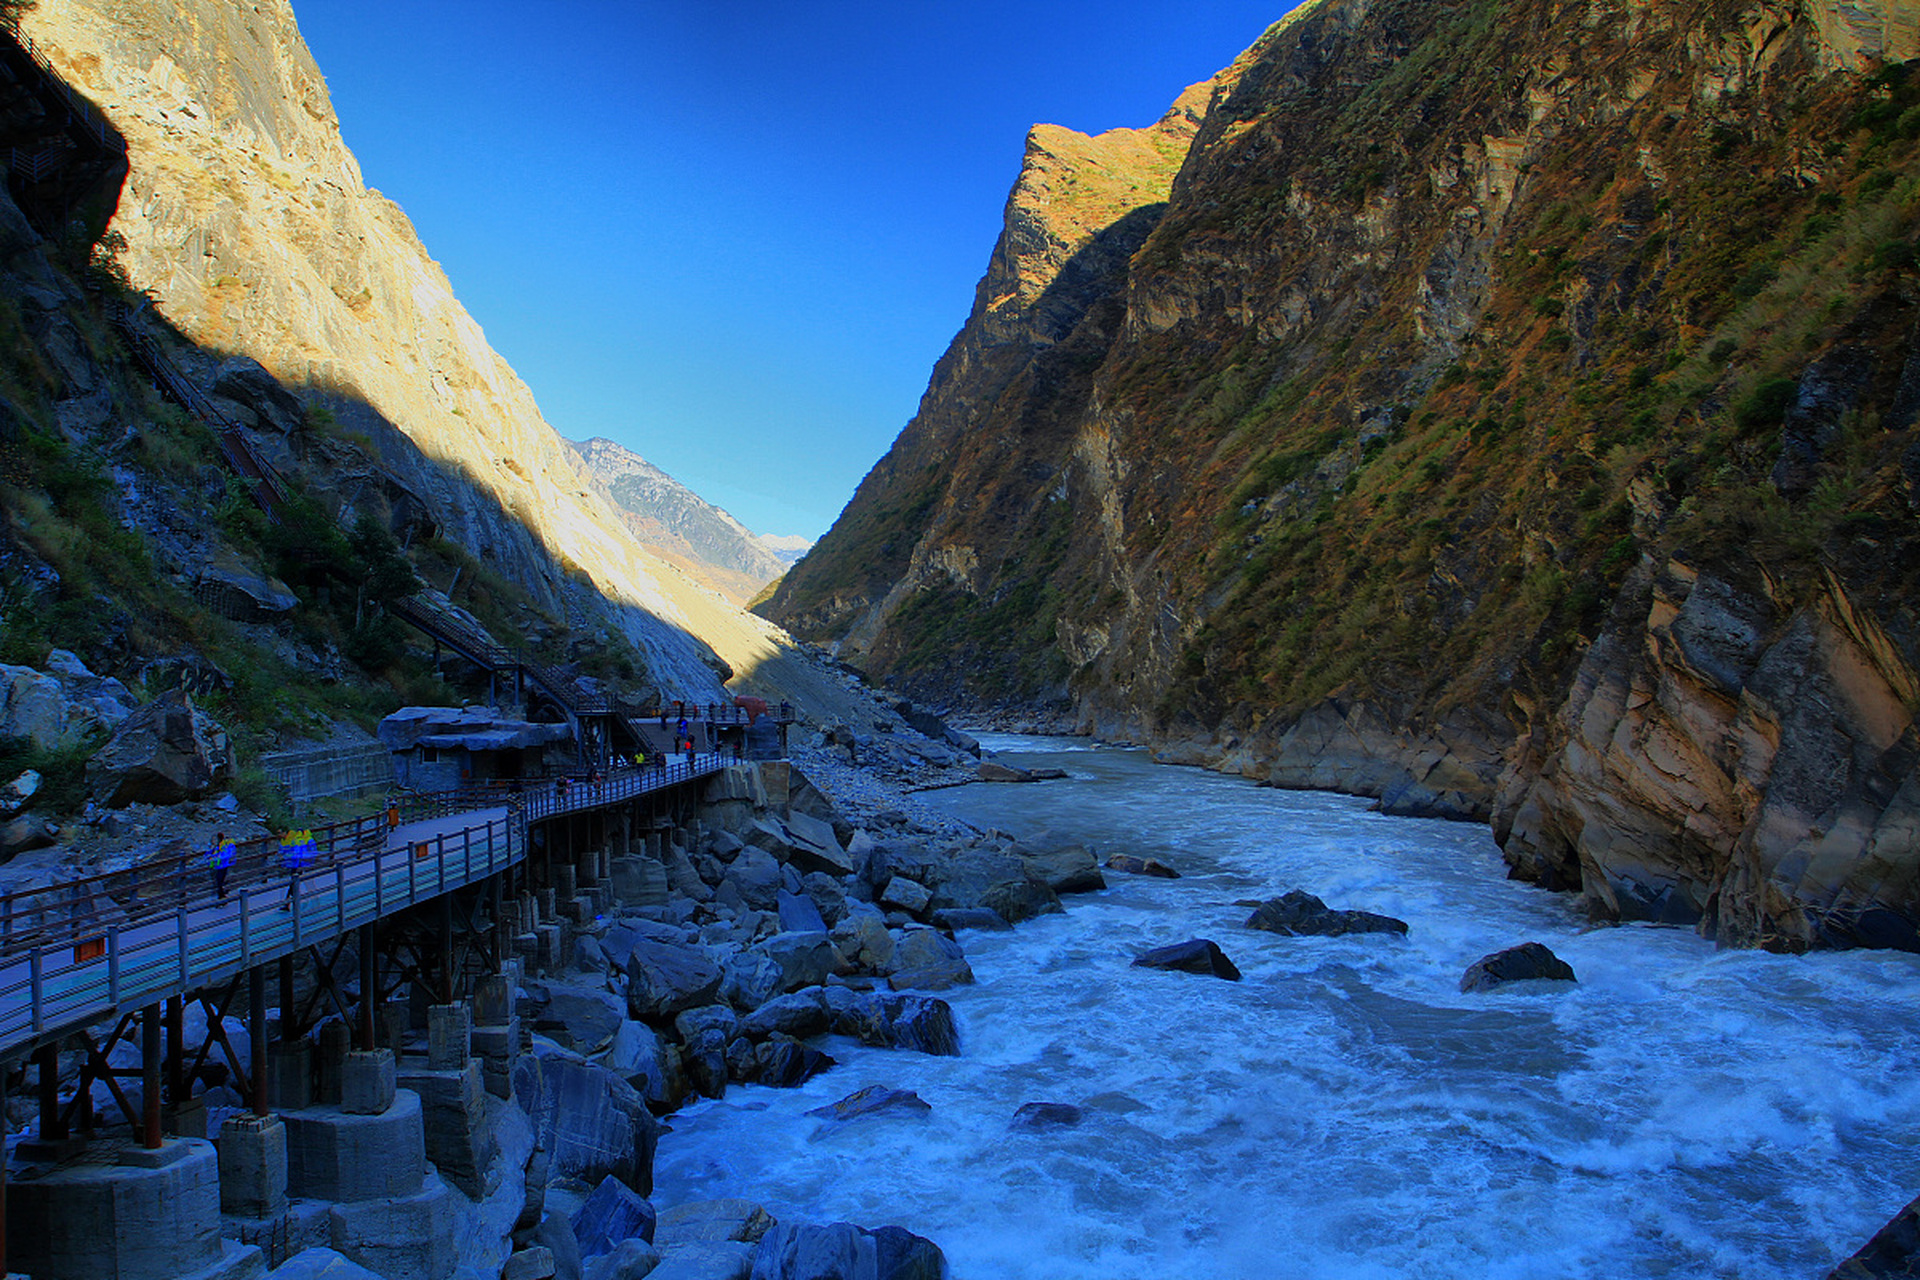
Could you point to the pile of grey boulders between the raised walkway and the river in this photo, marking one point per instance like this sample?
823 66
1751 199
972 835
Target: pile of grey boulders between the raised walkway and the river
736 949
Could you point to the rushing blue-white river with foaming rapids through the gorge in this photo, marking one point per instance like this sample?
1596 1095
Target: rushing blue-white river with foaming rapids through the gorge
1345 1110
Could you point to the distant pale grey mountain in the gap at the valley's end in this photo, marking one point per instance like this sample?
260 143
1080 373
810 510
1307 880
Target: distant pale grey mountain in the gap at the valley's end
675 523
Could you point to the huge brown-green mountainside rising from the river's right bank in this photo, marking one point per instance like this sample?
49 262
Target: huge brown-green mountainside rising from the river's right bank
1504 410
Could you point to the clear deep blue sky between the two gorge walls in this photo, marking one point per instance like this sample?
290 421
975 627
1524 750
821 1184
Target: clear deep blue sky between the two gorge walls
736 237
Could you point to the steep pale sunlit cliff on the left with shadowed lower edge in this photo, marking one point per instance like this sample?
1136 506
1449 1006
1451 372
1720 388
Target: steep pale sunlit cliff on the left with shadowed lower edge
251 227
